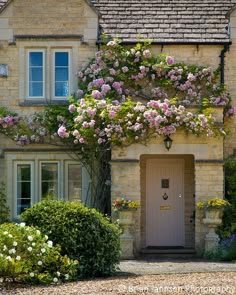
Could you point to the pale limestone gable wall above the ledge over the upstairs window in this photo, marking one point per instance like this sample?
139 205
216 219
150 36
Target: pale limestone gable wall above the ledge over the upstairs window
54 17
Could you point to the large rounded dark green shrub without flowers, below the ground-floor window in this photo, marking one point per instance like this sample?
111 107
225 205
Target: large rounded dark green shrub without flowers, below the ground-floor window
82 232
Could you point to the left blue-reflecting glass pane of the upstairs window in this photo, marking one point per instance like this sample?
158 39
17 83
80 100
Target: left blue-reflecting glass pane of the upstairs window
36 74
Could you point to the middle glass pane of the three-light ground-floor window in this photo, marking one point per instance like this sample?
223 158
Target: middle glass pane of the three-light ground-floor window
49 180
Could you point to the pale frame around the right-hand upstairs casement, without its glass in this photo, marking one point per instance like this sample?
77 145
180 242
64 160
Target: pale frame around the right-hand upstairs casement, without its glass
52 82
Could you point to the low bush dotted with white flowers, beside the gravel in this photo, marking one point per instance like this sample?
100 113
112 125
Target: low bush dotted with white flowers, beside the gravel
26 255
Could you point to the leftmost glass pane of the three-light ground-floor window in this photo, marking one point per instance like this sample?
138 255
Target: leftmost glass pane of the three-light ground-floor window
23 187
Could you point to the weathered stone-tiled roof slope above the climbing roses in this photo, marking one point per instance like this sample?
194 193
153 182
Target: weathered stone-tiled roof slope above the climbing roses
166 21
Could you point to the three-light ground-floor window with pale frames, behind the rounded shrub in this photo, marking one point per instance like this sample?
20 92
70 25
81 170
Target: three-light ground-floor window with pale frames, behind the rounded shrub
36 179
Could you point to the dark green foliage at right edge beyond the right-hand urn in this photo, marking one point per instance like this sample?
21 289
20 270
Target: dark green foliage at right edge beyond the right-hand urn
228 226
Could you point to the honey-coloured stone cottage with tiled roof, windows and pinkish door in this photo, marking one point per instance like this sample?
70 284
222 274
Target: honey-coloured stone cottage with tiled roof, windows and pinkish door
45 36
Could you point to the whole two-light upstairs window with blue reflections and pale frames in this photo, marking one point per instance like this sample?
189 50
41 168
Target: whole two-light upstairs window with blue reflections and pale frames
49 74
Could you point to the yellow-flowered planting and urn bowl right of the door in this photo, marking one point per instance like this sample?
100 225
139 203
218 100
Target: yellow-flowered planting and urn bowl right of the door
213 207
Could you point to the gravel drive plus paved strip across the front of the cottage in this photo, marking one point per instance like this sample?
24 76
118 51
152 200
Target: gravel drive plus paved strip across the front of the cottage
136 278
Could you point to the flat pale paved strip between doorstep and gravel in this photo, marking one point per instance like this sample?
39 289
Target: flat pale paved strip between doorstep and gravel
174 266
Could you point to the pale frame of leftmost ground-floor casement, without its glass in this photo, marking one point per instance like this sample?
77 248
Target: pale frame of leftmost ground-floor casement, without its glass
32 188
